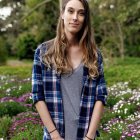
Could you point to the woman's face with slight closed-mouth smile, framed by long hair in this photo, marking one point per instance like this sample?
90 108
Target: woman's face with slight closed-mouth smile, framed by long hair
73 16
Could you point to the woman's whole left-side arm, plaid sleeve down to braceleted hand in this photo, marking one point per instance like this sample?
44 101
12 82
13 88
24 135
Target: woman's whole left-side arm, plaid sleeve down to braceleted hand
38 96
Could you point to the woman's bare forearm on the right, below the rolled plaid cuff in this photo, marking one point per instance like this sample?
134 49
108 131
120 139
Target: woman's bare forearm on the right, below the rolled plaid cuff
95 119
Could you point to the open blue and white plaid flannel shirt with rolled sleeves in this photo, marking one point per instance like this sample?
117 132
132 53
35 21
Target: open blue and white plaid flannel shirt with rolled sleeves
46 87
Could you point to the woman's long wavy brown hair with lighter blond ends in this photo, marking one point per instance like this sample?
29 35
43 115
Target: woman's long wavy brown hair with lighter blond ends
56 55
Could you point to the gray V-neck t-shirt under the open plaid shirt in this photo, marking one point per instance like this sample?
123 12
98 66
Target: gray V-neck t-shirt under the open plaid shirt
71 86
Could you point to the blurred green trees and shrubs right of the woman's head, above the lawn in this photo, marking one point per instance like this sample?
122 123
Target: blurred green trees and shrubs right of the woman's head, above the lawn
116 25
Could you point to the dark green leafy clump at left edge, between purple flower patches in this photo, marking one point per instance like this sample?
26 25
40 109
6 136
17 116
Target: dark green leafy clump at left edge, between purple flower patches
11 108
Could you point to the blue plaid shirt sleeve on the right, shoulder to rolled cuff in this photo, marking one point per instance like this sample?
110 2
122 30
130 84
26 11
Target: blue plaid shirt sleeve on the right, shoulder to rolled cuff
101 90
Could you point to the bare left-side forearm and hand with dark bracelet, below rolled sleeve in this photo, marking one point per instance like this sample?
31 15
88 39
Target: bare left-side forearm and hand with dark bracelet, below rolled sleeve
47 121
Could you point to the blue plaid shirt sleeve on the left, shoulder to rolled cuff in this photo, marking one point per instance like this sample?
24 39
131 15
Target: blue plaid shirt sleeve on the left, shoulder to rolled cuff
37 82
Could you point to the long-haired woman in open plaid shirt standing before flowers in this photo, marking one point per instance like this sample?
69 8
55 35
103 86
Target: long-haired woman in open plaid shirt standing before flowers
68 86
